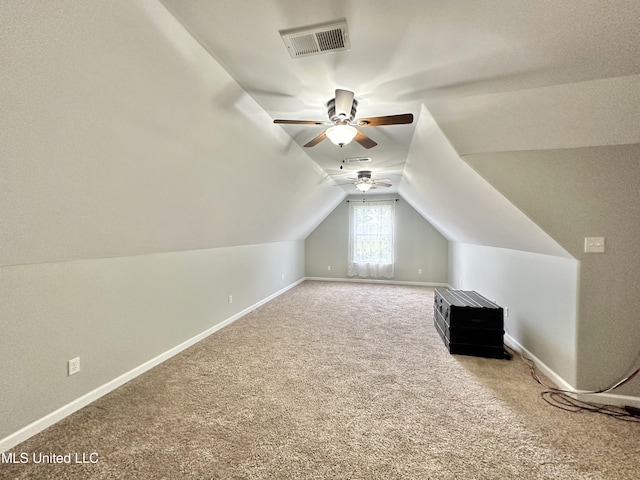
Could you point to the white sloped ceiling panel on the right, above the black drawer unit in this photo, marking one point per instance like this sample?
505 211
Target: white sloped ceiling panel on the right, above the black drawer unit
457 201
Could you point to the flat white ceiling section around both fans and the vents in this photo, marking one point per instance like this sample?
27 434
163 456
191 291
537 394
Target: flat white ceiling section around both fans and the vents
491 73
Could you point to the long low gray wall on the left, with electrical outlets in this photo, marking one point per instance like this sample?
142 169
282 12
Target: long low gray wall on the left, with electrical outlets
118 313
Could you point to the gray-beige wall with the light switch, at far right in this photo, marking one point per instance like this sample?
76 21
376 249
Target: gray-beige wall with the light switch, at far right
576 193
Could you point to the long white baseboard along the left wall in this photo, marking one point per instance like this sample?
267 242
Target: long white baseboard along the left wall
66 410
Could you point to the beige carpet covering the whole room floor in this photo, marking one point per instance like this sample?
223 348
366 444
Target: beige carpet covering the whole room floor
334 381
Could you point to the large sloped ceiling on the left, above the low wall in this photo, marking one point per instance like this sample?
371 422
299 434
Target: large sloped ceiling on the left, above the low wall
121 135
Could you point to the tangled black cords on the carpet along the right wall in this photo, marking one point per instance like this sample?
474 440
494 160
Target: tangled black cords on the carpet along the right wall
564 400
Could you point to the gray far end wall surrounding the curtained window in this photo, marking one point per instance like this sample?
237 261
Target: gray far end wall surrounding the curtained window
417 245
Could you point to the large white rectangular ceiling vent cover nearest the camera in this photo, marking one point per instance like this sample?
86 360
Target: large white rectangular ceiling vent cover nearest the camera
316 39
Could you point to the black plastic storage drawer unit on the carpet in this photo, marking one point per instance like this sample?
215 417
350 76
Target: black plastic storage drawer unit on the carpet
468 323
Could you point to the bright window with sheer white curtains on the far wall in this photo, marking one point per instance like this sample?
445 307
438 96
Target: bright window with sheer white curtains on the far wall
371 227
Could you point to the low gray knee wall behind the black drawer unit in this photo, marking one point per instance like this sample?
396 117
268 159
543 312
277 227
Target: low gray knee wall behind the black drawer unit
539 295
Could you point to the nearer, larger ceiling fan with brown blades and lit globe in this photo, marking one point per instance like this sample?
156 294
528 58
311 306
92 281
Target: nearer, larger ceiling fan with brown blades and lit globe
342 111
